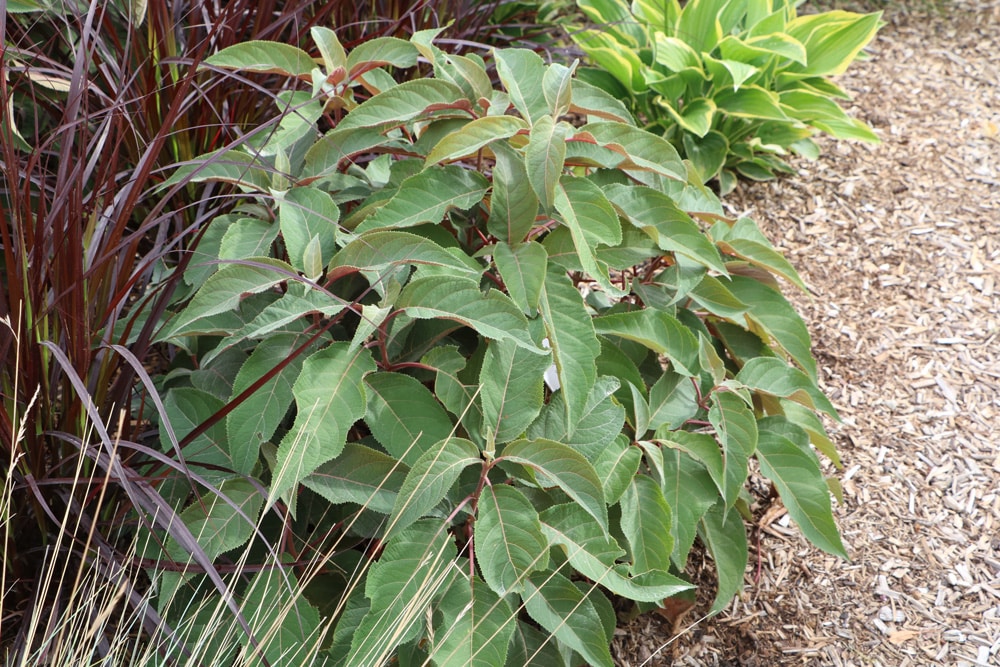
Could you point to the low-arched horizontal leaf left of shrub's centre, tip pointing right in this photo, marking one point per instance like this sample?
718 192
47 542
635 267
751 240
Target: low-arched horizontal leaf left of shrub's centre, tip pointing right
381 249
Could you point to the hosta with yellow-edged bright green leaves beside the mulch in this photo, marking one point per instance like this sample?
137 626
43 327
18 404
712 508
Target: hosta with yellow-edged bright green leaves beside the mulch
733 84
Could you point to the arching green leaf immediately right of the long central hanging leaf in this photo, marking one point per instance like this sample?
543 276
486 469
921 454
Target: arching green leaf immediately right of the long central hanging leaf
657 330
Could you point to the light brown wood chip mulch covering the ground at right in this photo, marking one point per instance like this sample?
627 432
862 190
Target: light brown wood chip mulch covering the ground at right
900 244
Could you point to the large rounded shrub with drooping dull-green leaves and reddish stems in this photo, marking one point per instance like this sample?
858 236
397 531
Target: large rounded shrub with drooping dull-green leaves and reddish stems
488 366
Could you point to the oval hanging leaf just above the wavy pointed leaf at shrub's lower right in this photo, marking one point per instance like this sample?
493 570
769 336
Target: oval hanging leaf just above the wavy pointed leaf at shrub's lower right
646 522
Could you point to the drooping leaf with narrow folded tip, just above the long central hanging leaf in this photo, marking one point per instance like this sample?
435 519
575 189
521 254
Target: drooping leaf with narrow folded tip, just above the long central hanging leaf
588 214
